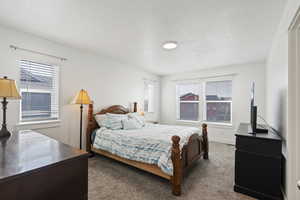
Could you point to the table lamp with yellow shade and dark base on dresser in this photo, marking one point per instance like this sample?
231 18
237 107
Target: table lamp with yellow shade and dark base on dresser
8 90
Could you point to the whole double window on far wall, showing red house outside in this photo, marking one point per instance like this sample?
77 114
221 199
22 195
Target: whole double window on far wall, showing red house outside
216 104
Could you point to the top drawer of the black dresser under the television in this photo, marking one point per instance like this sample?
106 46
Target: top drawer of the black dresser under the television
259 146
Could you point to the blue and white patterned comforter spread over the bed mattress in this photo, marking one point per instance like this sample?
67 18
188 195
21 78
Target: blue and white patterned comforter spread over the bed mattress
150 144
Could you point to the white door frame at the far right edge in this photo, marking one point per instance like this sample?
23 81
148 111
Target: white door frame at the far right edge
293 138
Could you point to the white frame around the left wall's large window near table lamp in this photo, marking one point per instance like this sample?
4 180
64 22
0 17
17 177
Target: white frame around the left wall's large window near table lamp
41 121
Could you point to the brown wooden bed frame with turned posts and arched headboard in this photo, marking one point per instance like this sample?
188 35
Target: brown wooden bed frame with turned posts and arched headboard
182 160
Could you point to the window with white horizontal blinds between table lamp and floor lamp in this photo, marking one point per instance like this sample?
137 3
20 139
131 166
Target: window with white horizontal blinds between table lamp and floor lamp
39 91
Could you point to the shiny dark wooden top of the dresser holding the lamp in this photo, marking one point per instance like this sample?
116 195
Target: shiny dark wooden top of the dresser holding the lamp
27 151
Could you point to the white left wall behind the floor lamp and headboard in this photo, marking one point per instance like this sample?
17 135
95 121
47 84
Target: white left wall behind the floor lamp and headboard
108 82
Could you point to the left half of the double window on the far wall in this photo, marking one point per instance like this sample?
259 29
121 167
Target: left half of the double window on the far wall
188 101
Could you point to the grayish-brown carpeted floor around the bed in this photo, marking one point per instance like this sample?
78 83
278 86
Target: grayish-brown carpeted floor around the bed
211 179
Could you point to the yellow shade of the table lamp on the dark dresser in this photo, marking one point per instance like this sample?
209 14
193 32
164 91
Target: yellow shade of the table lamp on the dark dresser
8 89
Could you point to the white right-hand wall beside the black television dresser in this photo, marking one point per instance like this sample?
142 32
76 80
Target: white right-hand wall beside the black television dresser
277 92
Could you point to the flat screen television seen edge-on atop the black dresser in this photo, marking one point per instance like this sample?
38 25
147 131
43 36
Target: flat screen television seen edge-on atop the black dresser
253 113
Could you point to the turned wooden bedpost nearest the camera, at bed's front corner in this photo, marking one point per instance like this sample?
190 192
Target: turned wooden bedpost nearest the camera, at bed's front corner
177 167
